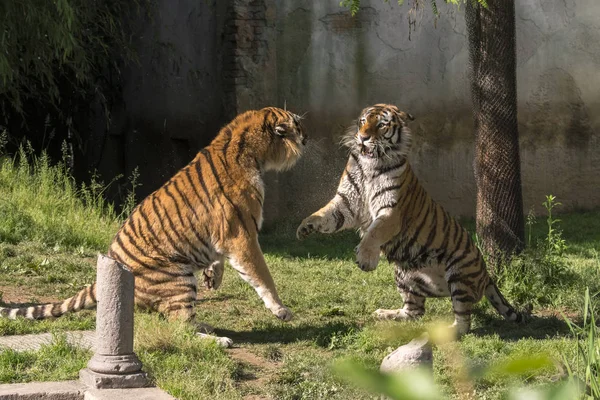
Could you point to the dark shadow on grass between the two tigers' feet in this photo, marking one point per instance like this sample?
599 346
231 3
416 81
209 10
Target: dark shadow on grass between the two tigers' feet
321 335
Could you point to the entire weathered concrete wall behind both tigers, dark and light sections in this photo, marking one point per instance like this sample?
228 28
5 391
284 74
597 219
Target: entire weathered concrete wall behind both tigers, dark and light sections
201 62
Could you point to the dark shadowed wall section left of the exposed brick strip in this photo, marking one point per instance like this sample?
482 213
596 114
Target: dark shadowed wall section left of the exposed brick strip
173 99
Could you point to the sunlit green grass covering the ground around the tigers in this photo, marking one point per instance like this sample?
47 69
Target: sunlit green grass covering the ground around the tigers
50 237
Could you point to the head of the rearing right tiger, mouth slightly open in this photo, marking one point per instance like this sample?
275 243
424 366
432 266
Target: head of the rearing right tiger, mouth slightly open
380 132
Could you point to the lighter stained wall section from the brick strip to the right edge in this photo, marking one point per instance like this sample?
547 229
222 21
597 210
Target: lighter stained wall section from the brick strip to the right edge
317 59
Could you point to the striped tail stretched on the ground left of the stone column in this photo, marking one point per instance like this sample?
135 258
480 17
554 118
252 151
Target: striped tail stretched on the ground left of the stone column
85 299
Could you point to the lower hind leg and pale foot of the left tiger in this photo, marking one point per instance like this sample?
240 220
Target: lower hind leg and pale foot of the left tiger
178 298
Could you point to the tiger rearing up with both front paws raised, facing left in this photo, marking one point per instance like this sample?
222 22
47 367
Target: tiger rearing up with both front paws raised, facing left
379 194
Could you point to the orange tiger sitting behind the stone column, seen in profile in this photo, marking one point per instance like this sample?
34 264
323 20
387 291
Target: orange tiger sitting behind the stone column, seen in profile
210 210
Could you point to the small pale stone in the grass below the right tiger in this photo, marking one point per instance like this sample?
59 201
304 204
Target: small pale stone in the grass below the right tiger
416 353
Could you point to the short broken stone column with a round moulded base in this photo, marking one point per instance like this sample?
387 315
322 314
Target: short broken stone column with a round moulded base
114 364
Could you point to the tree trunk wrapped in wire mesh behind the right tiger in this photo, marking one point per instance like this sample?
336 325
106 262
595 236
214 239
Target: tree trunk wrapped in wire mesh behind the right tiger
492 53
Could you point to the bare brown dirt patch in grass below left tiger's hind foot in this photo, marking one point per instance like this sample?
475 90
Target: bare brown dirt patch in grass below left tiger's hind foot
260 371
